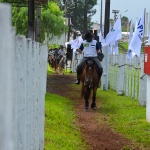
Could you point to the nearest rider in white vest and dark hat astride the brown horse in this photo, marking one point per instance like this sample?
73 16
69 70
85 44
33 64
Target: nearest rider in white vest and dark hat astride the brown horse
91 49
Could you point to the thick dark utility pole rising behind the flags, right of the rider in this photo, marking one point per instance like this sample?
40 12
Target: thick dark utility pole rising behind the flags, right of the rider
107 16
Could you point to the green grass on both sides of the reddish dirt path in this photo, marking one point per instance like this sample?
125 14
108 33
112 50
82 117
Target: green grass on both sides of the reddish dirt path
123 114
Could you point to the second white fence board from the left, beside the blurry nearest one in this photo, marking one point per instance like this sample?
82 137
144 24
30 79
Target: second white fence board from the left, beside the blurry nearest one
21 91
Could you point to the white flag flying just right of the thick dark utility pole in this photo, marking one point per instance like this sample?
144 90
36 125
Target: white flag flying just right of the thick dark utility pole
116 33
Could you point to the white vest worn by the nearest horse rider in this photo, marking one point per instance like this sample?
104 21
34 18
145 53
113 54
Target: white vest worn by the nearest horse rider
89 48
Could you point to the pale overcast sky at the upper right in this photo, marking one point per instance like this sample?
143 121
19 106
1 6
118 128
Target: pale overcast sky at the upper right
135 9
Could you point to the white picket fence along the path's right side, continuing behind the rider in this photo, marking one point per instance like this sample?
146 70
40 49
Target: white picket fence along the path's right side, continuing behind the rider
125 76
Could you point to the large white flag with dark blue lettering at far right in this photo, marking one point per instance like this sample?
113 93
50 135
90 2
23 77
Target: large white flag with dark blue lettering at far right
136 41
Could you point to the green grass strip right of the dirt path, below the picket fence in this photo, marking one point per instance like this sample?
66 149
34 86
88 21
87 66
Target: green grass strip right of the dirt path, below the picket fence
126 117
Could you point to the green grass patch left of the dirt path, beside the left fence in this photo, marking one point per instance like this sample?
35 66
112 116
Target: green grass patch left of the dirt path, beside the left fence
61 132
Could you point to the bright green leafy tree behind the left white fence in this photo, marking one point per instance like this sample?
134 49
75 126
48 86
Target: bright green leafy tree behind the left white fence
52 20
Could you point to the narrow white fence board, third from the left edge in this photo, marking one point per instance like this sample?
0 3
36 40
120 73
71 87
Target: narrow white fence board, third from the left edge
29 96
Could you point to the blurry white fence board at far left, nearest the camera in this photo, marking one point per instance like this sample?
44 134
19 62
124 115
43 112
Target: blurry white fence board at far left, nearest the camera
7 79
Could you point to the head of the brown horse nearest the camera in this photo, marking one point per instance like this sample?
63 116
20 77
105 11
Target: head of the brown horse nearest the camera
89 70
